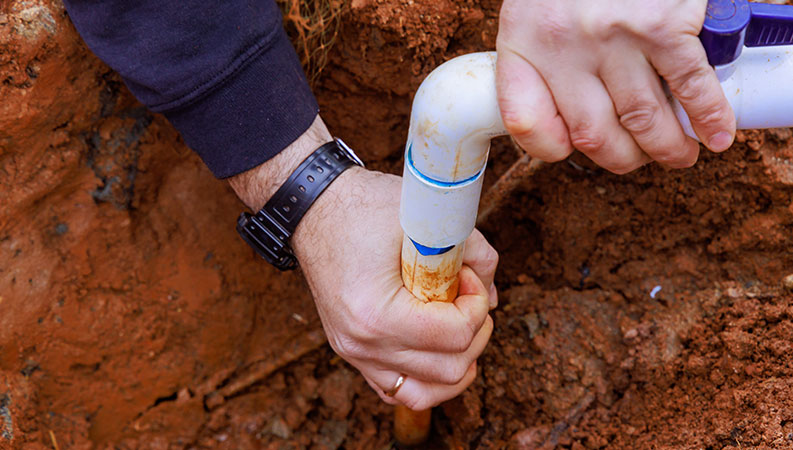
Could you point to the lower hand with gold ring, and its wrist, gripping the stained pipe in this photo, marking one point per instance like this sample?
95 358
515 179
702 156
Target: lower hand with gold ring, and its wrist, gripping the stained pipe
348 245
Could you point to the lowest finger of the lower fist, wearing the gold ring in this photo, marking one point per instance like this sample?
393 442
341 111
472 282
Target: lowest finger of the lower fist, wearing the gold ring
417 394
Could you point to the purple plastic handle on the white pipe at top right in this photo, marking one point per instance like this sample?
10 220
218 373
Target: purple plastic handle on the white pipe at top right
731 24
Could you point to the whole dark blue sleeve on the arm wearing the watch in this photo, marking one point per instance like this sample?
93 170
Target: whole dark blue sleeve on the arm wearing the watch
223 72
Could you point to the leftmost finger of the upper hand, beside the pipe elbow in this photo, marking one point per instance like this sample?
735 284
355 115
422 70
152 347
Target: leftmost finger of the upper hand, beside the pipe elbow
528 110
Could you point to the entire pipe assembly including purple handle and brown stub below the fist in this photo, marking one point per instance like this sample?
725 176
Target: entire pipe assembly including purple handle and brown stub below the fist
455 114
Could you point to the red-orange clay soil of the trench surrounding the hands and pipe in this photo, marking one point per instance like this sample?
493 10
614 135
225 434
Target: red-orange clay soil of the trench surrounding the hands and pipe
642 311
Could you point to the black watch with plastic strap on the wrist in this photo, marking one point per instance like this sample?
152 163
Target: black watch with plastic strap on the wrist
268 231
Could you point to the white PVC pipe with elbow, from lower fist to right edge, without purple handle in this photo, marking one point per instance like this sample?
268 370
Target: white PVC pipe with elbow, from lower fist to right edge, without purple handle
455 114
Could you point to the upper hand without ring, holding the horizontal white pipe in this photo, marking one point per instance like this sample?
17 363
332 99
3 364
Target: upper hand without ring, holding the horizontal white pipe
584 74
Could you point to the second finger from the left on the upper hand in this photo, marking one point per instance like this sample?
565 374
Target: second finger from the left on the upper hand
594 127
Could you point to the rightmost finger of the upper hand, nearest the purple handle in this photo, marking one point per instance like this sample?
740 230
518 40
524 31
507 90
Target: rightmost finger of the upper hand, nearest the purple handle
693 82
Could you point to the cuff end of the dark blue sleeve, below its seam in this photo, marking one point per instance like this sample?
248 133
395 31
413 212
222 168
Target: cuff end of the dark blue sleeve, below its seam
259 107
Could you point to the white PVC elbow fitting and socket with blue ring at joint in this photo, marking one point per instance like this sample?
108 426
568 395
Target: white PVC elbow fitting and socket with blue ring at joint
455 114
